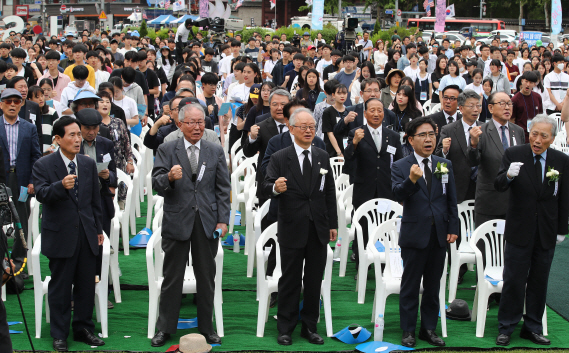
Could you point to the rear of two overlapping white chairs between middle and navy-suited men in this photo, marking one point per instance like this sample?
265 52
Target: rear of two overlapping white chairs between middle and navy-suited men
375 211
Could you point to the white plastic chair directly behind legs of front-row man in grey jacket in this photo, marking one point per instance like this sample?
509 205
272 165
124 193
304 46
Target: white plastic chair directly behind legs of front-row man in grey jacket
154 266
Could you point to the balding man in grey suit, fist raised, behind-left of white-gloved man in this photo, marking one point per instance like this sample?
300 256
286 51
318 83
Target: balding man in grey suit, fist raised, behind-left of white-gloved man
488 143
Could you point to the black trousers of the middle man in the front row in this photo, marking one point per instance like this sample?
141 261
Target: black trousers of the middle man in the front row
313 256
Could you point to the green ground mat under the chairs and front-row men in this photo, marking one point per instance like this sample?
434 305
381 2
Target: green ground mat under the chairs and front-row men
128 321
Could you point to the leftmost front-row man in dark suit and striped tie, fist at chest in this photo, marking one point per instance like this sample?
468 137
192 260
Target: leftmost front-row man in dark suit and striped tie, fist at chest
67 185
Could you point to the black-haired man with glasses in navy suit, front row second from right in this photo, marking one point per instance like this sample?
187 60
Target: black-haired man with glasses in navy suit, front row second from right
430 221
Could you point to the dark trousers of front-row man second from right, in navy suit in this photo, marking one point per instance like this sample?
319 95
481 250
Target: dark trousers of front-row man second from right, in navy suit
428 264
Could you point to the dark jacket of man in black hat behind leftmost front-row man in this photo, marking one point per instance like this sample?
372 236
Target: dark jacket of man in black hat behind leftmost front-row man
103 147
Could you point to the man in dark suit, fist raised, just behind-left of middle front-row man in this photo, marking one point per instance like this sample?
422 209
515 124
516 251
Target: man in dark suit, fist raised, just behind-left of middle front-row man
260 135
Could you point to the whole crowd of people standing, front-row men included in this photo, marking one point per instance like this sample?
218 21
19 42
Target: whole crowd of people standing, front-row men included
69 107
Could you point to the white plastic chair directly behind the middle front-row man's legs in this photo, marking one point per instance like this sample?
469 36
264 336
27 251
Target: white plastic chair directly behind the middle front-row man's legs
268 285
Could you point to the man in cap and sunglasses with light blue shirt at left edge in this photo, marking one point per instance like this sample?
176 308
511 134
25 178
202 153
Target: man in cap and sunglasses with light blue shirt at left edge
19 141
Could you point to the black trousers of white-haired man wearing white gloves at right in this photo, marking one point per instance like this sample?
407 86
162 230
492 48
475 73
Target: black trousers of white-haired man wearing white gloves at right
526 273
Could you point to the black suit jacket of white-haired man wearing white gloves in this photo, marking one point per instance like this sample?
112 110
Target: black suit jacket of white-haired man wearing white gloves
535 205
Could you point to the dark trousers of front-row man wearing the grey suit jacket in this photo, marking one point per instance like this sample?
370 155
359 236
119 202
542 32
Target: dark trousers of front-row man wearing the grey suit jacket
176 255
